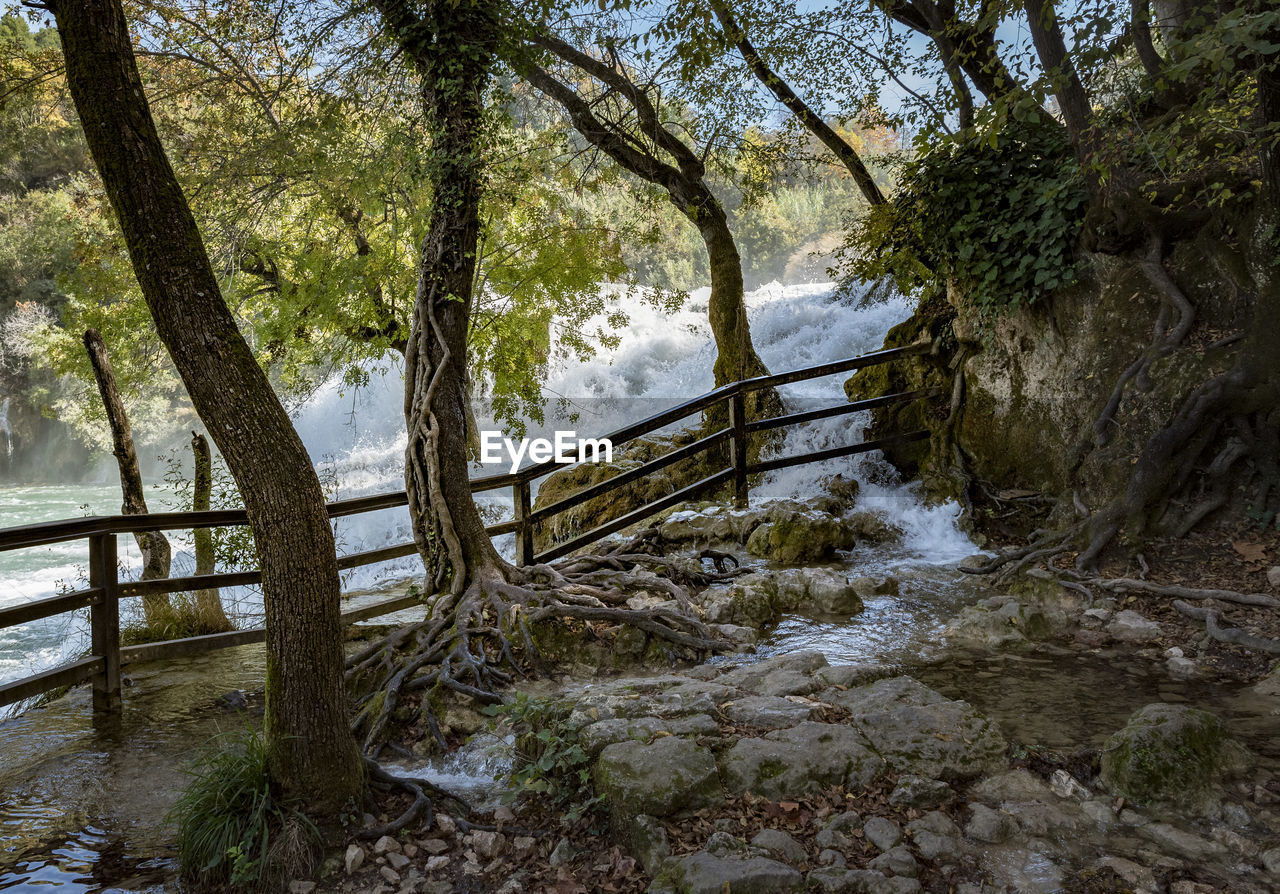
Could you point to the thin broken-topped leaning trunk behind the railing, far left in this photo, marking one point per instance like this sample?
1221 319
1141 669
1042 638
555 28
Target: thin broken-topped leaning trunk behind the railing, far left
157 553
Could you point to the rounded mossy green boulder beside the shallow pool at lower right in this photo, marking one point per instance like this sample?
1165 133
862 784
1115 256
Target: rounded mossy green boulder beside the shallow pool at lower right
1171 754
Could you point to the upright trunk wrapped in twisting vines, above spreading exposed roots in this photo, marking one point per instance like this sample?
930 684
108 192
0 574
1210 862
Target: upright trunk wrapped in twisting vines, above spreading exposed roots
454 49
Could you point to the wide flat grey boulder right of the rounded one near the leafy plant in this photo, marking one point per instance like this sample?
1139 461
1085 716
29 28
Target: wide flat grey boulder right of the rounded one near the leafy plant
799 761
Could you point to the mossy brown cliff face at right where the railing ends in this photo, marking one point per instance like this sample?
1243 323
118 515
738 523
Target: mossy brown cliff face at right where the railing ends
1037 380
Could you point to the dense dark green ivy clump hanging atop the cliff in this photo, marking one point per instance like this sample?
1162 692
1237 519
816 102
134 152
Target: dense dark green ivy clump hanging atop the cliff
1000 217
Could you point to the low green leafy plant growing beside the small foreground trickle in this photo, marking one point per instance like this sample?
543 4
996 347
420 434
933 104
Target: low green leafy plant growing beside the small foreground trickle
550 760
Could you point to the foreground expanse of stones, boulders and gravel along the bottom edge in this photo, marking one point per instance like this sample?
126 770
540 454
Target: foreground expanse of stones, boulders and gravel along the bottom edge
790 776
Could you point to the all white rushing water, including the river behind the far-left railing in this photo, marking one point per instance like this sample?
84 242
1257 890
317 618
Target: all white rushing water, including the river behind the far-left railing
661 361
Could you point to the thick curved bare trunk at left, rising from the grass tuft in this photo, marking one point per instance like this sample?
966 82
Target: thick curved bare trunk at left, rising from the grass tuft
310 749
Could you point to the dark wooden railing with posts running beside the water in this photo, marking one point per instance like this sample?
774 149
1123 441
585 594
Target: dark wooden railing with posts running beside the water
106 590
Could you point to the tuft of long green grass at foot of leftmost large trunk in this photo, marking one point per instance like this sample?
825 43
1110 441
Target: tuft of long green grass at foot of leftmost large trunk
234 828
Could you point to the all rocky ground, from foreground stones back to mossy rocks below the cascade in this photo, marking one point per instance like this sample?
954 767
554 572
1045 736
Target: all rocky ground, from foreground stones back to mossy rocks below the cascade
790 774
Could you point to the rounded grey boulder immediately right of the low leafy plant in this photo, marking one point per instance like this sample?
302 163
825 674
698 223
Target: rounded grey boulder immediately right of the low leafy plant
661 778
